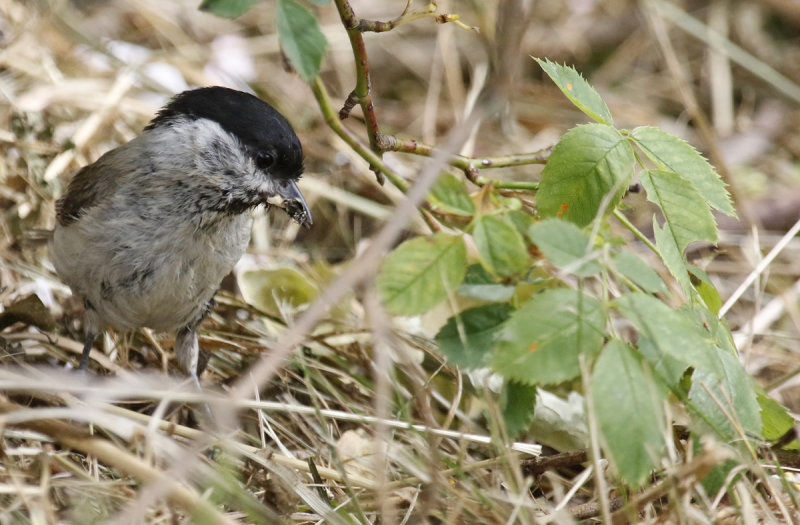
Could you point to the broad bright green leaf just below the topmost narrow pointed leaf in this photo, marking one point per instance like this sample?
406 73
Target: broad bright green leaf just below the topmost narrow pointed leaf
590 169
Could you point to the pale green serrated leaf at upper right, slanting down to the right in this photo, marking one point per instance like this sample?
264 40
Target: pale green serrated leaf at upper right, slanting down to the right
670 153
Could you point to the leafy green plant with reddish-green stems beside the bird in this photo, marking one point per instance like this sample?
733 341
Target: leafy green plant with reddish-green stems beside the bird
560 296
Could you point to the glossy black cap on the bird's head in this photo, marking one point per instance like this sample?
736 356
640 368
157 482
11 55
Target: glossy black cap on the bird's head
255 123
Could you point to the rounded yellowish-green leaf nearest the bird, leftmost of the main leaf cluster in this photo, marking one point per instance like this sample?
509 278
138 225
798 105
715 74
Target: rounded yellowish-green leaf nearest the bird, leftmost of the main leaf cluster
421 272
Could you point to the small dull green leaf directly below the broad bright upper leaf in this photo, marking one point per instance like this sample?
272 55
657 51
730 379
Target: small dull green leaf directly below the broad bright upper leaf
565 245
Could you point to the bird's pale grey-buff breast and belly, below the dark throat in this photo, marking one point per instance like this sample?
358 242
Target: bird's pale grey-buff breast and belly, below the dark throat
149 270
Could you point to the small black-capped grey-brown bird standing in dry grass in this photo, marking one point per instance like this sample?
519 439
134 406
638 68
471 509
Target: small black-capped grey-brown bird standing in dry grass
146 233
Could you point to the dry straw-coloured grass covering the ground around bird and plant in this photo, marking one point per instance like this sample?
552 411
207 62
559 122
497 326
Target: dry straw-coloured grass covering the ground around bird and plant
327 437
